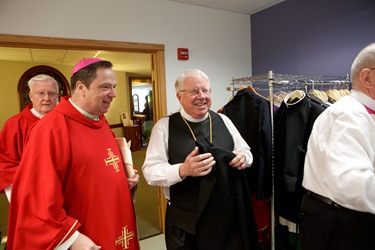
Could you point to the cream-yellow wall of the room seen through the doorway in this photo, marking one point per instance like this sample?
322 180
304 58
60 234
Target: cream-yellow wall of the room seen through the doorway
11 72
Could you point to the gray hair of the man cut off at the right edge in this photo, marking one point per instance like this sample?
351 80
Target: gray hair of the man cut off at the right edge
365 59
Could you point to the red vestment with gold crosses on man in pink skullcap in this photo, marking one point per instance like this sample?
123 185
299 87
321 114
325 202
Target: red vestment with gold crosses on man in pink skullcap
71 177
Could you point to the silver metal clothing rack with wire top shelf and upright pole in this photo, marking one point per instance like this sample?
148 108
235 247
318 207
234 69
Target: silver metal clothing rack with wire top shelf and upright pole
284 81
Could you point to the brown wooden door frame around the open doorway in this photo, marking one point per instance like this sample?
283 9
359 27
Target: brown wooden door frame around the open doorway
158 68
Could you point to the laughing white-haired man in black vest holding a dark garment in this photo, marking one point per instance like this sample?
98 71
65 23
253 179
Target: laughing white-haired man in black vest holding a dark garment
197 156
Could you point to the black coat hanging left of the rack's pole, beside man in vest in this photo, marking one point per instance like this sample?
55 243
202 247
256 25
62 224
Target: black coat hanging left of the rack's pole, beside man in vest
251 115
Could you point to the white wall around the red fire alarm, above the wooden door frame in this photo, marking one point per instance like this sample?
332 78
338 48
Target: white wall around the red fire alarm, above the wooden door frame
218 41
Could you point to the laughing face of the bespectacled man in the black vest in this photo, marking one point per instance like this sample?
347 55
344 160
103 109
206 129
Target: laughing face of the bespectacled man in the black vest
195 104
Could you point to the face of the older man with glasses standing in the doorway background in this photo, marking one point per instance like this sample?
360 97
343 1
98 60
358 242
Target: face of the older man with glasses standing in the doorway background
44 96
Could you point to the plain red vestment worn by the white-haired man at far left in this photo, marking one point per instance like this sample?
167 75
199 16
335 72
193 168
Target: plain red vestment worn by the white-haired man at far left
12 139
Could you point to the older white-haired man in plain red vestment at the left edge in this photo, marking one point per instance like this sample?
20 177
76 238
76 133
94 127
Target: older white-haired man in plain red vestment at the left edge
43 94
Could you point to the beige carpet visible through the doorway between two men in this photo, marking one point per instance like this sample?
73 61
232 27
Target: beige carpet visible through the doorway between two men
147 202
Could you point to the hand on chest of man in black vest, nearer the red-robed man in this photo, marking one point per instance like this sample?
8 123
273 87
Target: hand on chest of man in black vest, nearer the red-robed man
197 164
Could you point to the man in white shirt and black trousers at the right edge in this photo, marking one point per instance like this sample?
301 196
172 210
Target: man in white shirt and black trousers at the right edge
338 209
